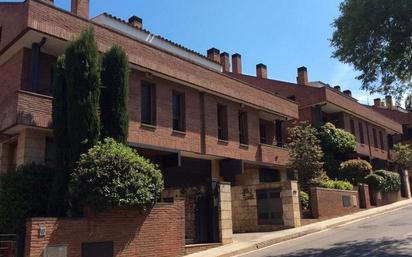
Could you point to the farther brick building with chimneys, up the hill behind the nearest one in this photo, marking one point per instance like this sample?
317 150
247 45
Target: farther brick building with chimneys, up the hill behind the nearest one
319 102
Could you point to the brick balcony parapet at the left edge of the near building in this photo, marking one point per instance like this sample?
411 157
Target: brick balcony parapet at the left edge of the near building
25 108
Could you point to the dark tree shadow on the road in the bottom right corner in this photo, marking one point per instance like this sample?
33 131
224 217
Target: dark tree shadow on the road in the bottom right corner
379 247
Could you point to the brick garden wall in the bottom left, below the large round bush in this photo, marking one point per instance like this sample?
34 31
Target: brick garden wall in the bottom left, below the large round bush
158 232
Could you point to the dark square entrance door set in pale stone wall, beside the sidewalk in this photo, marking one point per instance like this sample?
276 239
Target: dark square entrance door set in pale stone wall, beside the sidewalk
269 207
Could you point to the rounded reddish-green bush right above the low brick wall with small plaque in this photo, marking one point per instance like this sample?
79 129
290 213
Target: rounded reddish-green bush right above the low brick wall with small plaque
355 170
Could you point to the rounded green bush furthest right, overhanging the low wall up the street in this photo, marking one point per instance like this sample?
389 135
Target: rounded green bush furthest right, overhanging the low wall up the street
384 181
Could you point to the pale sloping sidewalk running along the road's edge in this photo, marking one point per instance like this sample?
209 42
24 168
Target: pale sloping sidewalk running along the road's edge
246 242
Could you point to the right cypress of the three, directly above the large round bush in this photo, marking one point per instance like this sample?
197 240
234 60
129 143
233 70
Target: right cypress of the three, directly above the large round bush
114 99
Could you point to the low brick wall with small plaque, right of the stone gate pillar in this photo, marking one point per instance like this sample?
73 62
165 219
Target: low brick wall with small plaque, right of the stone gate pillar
328 203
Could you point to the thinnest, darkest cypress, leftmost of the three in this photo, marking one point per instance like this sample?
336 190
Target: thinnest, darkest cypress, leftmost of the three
56 206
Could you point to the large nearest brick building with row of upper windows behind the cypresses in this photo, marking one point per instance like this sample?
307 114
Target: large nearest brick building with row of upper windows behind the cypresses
215 137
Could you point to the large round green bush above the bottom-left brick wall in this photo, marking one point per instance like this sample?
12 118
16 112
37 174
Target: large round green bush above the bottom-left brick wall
113 175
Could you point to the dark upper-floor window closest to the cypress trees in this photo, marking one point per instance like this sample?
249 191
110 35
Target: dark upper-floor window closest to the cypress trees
148 101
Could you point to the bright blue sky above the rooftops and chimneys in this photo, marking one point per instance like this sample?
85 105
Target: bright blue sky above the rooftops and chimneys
283 34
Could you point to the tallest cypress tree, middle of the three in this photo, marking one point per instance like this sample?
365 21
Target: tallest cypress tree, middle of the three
83 91
